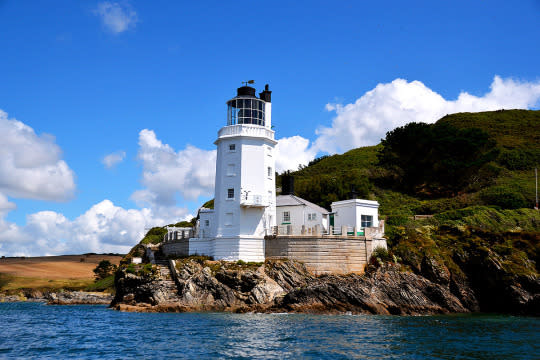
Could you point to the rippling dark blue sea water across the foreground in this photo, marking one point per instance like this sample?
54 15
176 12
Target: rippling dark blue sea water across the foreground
32 330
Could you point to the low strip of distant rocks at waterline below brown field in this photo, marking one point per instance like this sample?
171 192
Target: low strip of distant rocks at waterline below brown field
60 298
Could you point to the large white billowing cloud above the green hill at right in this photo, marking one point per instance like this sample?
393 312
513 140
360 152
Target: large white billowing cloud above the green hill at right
394 104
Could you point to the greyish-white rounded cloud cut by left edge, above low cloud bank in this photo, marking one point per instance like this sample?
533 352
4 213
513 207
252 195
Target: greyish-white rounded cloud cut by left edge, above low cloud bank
31 165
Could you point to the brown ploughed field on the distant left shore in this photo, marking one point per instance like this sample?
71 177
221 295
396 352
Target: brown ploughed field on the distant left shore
50 272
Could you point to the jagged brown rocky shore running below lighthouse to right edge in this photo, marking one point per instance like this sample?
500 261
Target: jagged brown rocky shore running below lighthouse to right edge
286 286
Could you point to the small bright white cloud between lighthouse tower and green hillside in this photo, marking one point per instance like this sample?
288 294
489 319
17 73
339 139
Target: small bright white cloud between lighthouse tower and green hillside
293 151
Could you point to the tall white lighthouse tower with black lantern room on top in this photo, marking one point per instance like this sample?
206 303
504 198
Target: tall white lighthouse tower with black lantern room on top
245 198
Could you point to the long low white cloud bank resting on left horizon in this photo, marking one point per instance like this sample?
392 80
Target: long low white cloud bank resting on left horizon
102 228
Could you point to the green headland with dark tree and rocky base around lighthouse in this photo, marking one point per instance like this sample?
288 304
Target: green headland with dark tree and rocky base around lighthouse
479 251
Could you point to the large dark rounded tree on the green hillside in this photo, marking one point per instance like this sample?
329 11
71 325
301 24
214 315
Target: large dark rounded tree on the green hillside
436 159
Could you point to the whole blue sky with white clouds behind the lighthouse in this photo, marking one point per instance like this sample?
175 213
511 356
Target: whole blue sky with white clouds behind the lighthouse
109 109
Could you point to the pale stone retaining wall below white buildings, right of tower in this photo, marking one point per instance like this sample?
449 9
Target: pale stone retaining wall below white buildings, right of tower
322 255
